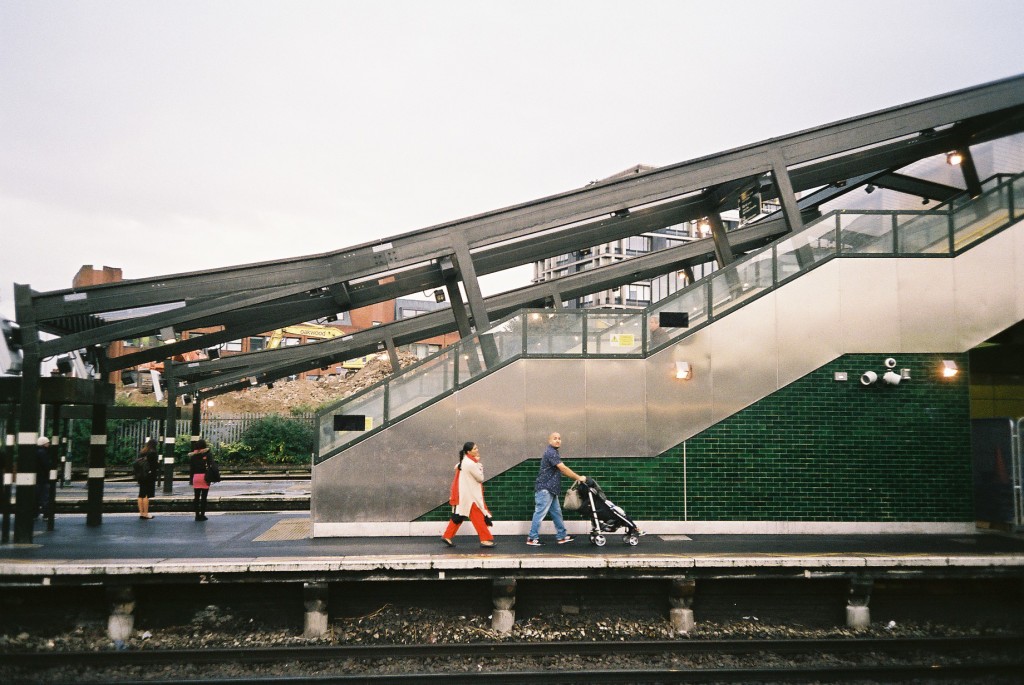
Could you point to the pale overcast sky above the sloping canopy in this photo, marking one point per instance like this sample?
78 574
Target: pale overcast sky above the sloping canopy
163 138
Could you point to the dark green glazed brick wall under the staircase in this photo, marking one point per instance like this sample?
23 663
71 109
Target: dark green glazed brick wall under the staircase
816 451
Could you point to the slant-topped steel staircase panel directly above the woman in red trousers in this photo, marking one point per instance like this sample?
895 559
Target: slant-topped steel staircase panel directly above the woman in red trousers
491 412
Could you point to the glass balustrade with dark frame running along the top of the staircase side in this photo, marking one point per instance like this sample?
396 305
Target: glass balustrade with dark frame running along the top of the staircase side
589 333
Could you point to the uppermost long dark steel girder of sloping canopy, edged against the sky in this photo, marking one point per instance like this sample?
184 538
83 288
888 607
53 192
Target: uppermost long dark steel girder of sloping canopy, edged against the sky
521 221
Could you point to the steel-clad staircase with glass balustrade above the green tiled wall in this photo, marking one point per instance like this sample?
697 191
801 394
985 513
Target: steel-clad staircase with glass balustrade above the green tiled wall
893 283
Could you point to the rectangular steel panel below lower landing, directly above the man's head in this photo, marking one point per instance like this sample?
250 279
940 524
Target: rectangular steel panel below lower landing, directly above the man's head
557 394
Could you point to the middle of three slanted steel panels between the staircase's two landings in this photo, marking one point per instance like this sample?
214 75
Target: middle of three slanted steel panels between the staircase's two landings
745 358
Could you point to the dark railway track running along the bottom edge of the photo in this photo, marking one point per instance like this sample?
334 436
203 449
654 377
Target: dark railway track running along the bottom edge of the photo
999 659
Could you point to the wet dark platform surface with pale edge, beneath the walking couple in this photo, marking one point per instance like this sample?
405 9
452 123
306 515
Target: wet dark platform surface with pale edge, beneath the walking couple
280 541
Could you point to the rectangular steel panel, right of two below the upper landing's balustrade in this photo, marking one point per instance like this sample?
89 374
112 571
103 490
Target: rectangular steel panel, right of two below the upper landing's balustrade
927 317
